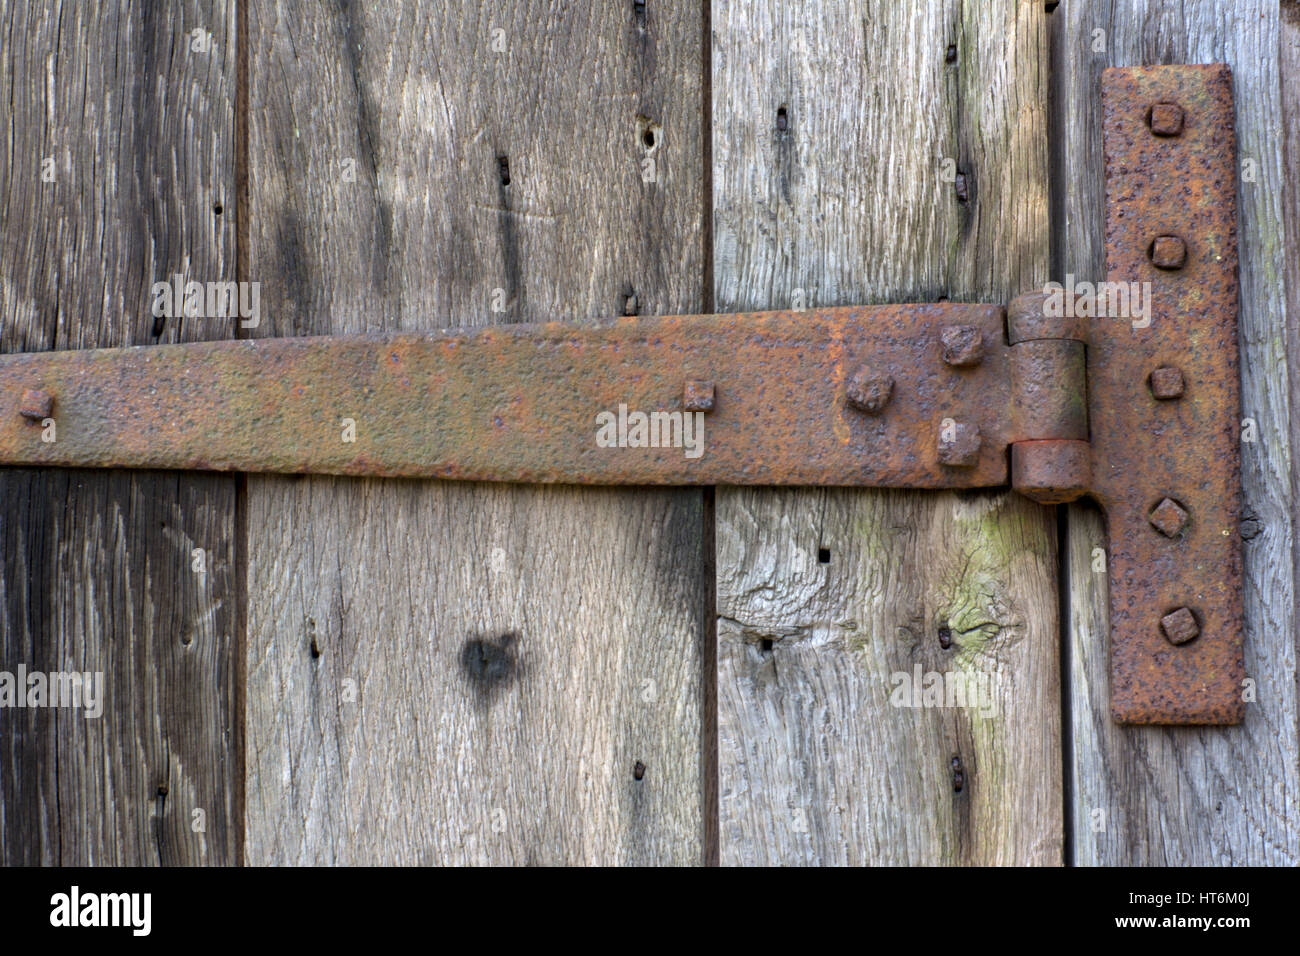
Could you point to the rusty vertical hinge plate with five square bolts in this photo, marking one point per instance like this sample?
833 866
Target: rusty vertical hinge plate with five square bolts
1165 397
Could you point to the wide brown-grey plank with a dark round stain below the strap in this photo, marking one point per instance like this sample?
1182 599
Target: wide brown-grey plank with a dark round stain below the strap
453 673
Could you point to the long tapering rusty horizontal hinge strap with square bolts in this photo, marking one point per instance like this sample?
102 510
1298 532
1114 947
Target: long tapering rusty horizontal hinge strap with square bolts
782 399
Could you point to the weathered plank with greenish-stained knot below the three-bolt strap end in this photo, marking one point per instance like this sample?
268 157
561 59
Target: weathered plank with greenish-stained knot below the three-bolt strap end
833 131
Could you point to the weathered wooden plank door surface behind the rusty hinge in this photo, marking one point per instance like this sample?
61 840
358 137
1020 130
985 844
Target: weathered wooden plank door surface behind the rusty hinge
340 671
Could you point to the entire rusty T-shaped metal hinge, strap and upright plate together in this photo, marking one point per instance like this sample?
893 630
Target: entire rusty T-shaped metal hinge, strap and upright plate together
1126 392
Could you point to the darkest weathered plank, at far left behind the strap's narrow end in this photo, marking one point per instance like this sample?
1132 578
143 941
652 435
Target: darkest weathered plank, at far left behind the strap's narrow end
120 155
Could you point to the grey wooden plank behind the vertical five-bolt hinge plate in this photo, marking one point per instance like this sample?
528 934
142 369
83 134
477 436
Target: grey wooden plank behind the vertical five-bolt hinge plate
1189 797
